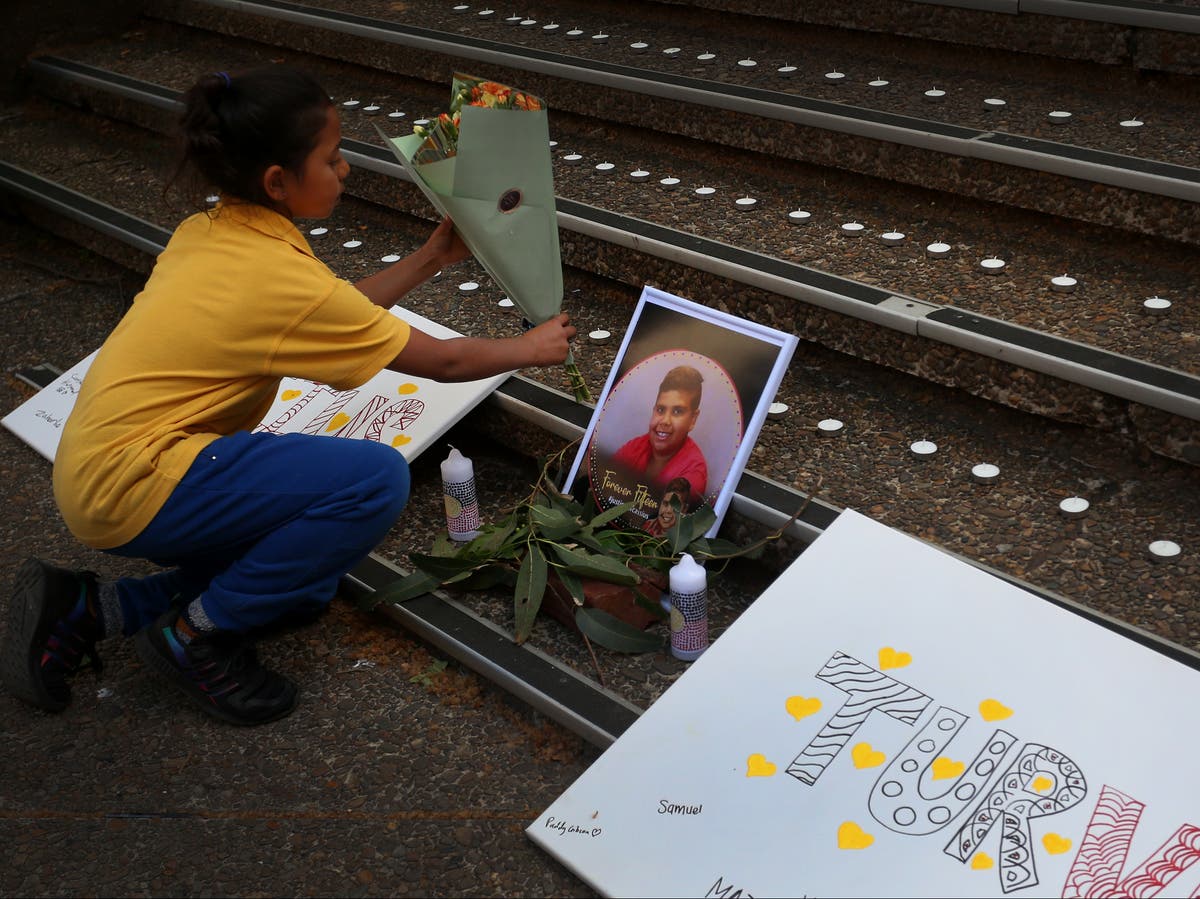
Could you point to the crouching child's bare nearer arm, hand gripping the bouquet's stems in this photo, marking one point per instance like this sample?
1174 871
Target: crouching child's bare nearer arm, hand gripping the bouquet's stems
473 358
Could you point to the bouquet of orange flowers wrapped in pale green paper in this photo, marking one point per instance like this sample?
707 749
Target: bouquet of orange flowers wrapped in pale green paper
485 163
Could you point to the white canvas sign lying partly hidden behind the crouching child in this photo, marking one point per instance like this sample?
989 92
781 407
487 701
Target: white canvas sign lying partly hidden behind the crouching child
399 410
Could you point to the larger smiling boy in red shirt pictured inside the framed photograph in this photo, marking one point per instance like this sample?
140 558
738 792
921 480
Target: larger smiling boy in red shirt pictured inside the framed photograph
667 451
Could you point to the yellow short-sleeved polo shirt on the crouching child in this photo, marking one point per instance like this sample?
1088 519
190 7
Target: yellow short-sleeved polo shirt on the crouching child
236 303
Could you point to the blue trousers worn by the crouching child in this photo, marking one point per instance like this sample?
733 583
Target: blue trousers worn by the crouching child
265 524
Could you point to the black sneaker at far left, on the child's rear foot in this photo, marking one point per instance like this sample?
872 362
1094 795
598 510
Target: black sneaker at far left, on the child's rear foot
53 628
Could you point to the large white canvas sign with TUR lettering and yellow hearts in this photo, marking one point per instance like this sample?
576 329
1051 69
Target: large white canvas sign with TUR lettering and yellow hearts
889 721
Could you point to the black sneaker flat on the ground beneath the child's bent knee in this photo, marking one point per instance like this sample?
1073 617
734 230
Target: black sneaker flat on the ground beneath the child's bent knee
219 673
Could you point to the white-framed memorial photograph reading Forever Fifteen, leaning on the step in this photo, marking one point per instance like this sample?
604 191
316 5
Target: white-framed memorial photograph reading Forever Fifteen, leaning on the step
680 413
